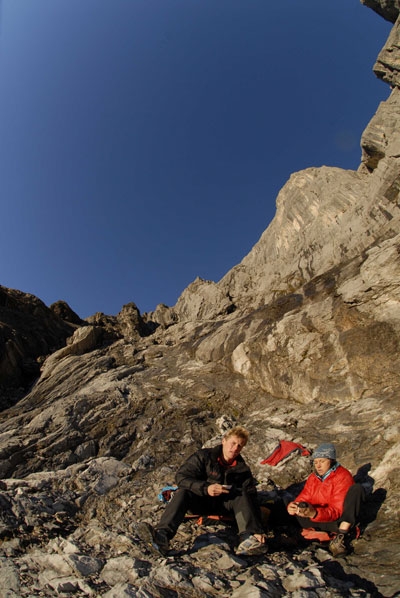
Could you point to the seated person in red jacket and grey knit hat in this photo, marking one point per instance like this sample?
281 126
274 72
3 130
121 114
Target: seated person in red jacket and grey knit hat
330 500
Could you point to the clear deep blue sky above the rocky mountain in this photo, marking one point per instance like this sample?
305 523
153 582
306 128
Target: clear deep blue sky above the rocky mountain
143 142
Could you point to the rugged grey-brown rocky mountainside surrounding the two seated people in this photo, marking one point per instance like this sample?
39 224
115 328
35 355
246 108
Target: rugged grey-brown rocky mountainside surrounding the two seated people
300 341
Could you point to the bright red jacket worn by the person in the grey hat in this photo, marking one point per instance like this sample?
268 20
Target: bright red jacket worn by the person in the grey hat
328 495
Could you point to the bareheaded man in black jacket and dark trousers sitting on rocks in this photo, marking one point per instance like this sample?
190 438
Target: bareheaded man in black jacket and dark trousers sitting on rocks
214 481
